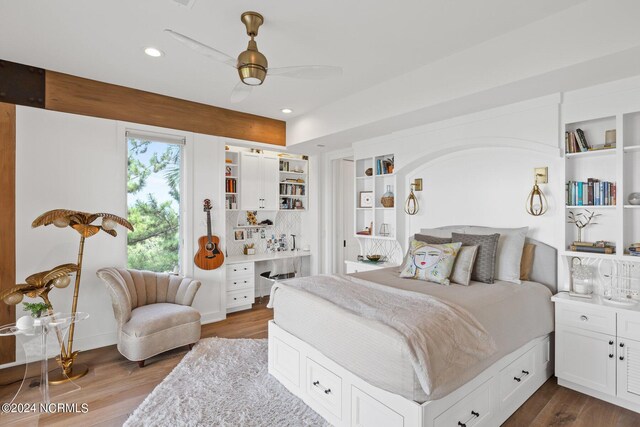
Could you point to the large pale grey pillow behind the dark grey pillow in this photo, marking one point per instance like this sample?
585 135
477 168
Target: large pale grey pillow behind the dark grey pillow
509 253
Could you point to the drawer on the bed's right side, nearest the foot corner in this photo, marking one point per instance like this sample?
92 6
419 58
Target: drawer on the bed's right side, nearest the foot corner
474 410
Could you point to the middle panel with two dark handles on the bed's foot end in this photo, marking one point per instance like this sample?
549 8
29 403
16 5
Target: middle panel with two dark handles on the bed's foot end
325 387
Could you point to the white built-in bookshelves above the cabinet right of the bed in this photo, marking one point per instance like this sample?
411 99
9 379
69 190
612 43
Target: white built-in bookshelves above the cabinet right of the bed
618 223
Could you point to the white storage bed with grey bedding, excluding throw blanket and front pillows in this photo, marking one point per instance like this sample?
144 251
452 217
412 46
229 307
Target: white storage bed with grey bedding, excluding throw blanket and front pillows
356 371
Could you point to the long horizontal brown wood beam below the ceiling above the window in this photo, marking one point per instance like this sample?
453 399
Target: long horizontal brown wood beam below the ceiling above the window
76 95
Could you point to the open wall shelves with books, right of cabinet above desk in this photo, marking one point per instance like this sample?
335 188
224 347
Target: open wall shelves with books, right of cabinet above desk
293 187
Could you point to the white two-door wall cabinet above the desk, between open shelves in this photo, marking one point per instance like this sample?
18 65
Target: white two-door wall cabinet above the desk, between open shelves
259 181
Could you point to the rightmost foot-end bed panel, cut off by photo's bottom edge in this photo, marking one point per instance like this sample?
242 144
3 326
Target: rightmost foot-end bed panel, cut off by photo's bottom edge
368 412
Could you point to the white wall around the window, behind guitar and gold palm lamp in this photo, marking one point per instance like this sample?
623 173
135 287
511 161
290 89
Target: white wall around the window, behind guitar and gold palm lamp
78 162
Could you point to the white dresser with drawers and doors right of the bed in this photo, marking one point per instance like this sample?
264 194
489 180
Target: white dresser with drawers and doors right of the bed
598 349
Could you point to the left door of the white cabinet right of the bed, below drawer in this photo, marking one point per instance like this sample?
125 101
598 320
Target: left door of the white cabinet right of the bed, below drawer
586 358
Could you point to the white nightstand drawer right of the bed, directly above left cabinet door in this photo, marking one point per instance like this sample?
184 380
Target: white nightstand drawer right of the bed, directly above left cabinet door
585 317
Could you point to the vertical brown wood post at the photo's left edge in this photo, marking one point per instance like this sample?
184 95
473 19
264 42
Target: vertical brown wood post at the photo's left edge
7 222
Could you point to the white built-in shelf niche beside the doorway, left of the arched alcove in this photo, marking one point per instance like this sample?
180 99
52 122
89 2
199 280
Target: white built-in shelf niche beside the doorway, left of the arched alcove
378 183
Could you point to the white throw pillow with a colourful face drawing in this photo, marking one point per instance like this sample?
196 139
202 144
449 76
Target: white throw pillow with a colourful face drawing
430 262
